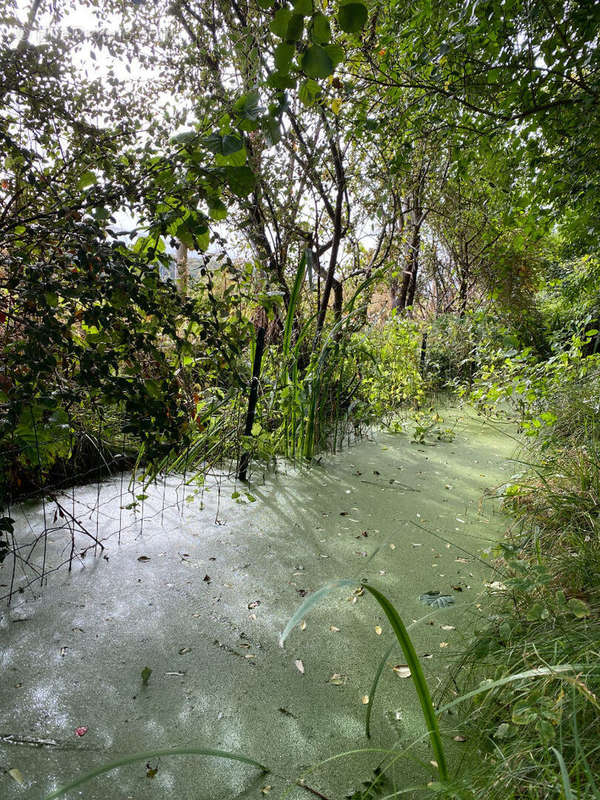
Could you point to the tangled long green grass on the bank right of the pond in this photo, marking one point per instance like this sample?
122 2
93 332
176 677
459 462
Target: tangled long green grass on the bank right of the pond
538 736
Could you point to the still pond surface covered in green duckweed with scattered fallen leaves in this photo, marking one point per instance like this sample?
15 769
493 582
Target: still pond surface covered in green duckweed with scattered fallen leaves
200 596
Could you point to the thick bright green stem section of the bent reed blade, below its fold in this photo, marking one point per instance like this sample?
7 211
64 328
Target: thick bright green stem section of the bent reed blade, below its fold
418 678
